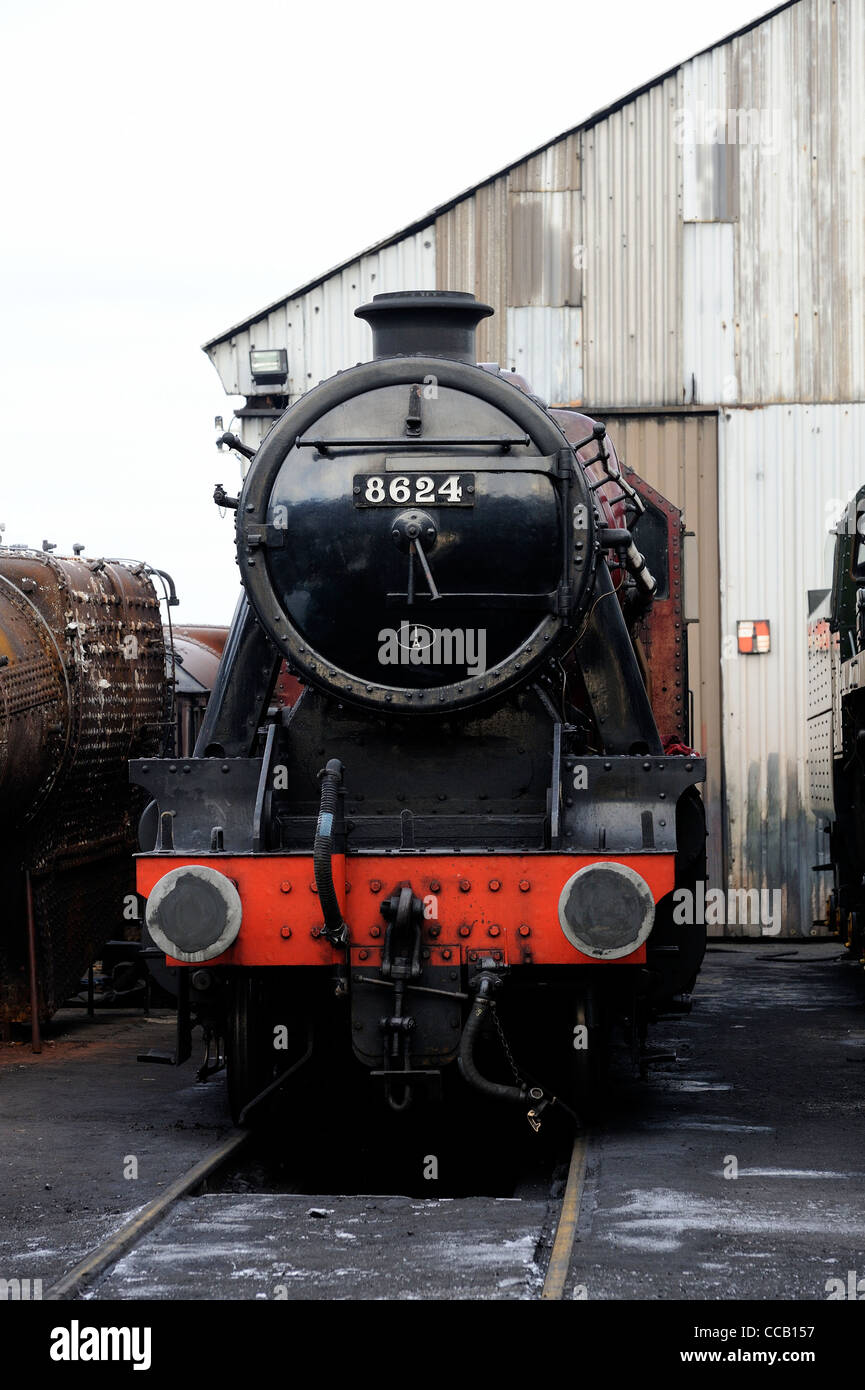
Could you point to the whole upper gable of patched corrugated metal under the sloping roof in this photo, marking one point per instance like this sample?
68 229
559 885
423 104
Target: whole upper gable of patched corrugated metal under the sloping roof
711 231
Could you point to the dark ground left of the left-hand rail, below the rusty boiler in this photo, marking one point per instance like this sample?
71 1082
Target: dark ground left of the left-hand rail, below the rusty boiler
74 1117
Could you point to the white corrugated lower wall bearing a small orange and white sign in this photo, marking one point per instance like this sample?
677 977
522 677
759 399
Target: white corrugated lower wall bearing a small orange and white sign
785 475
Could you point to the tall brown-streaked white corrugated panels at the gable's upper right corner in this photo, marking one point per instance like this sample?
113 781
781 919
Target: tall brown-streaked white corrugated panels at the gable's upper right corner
800 244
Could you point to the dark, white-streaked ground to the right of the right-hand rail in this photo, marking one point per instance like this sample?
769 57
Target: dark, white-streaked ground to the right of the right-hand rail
741 1171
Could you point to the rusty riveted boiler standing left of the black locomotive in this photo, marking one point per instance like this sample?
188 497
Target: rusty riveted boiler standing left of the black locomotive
83 690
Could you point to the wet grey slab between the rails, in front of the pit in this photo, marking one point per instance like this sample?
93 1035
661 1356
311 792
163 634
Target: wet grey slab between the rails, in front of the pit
269 1246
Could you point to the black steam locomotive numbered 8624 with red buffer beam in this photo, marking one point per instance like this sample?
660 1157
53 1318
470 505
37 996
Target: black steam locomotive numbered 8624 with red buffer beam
453 858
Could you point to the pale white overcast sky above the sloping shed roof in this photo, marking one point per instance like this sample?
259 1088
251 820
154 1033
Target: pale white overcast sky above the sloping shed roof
172 167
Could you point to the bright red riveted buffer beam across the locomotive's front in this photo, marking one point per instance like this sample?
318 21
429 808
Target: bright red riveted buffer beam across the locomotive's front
269 907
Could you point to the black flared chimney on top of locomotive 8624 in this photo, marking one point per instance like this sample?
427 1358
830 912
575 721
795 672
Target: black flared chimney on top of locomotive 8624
429 323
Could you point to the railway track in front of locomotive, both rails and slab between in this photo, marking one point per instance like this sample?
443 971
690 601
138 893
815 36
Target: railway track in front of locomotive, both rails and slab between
193 1242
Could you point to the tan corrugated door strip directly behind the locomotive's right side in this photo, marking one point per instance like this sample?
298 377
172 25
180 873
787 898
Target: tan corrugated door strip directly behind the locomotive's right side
678 454
